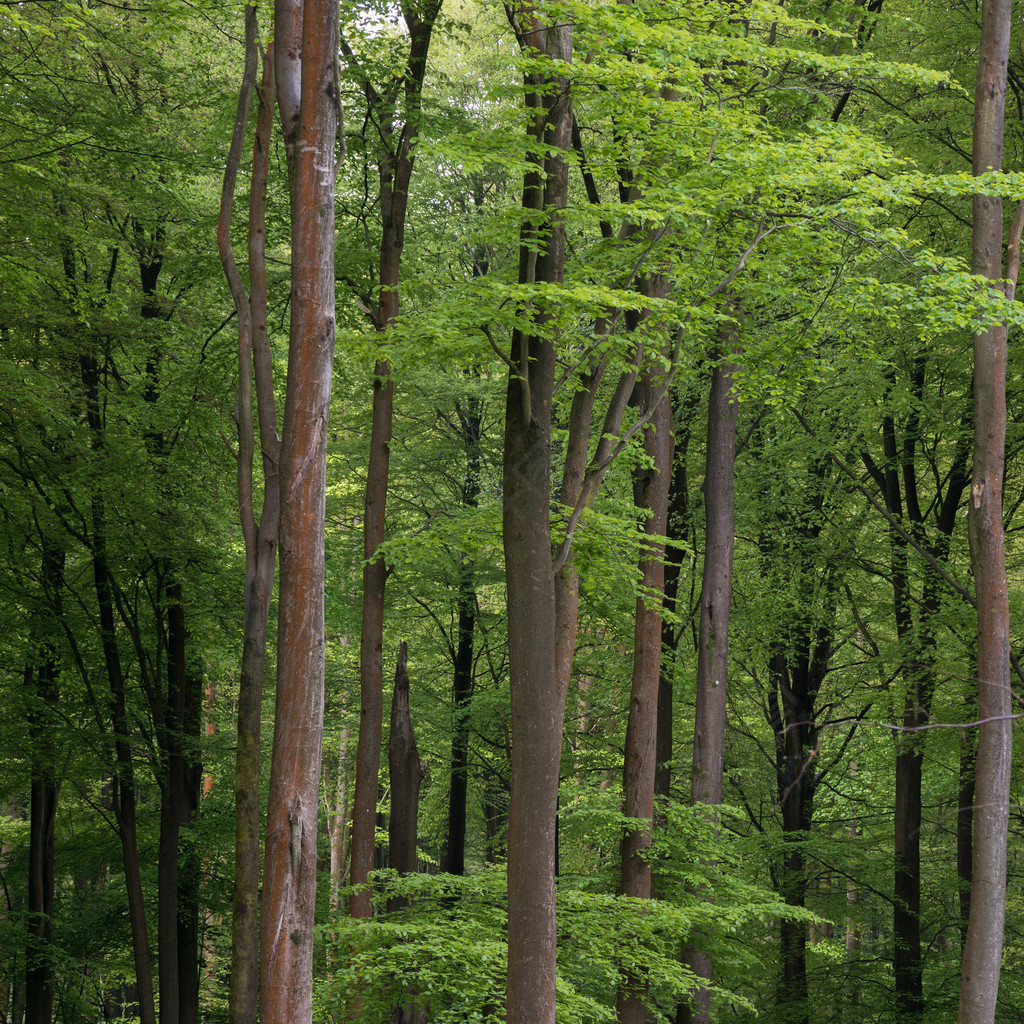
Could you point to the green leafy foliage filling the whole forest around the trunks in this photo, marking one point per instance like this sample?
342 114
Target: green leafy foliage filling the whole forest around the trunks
799 178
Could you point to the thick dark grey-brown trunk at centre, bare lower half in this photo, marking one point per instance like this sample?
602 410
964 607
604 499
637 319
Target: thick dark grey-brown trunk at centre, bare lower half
538 705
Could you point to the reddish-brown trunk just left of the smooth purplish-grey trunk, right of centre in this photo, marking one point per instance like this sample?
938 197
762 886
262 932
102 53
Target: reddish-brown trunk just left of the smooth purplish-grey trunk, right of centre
642 730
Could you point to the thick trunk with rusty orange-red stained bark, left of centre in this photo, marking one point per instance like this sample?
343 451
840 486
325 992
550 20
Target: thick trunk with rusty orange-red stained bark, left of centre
290 873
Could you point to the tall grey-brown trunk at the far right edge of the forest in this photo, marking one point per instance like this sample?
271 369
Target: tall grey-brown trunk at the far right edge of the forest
984 949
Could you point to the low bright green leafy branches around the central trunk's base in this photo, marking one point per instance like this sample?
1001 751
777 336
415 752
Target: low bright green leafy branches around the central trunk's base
446 951
